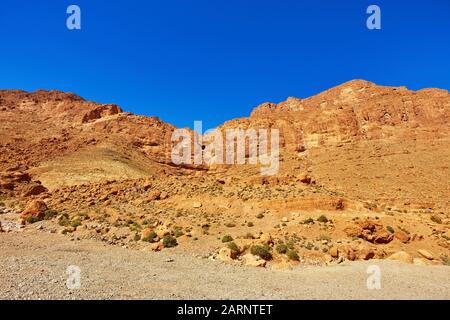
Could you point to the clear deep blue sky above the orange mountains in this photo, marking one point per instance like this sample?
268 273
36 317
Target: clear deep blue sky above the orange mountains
214 60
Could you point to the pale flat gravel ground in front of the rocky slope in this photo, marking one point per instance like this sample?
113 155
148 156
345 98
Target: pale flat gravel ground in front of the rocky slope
33 265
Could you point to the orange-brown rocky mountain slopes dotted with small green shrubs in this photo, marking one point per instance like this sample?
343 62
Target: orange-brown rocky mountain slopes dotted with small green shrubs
363 175
